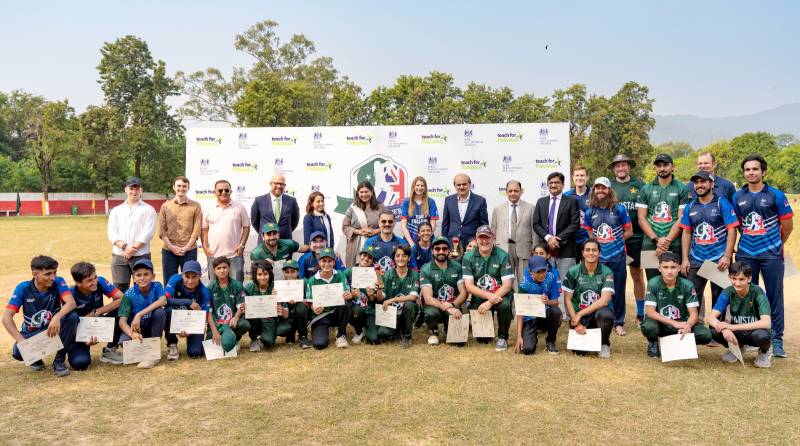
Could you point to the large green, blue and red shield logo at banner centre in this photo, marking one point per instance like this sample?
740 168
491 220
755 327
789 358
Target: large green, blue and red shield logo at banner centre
388 177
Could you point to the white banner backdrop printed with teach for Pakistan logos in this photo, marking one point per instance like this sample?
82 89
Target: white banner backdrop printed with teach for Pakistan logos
333 160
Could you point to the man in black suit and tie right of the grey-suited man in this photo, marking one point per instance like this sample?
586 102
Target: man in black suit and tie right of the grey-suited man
555 220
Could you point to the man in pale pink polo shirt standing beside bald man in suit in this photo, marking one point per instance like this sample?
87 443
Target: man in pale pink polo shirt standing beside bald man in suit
225 229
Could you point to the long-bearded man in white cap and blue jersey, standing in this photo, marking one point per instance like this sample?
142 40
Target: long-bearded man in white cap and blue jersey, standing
607 222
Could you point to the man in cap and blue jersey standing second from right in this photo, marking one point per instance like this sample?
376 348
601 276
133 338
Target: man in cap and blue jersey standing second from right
709 233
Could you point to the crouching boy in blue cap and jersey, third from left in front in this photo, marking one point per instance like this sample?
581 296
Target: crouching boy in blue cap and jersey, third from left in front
143 305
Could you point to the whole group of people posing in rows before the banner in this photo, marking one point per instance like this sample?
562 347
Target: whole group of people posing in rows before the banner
570 248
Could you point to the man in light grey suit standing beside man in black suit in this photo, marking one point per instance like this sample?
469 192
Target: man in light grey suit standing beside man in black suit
512 224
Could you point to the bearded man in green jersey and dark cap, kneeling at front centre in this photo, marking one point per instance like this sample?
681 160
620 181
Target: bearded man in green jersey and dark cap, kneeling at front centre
441 282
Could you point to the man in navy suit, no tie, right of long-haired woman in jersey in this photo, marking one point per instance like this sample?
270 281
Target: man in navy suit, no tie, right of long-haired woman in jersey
464 211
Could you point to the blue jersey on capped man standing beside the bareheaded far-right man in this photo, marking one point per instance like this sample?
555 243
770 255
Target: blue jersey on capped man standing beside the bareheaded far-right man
708 224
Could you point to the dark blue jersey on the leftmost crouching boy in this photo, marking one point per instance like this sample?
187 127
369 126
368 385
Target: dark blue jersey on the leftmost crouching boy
38 307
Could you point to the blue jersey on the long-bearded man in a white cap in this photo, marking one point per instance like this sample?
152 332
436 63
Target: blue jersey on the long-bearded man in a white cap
608 227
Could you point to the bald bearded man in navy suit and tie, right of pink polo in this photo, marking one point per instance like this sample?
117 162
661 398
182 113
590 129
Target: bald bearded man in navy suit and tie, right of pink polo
266 207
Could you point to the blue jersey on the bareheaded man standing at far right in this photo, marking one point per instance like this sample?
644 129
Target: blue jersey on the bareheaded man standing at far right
760 214
